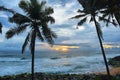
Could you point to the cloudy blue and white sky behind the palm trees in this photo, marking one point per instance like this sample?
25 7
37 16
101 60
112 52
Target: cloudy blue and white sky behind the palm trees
64 27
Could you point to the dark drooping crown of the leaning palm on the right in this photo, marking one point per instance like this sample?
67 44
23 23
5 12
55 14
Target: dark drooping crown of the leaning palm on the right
92 9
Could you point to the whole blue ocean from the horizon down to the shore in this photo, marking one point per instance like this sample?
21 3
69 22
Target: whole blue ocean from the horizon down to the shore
72 62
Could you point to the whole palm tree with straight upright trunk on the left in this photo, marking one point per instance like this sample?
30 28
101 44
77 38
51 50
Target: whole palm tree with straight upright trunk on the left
36 18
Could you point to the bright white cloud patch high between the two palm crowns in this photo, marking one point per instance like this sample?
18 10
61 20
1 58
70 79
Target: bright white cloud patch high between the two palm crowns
63 13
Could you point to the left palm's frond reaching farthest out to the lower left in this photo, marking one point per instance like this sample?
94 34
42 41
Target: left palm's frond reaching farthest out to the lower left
16 30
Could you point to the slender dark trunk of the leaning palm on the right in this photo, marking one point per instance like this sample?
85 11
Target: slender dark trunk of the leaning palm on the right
102 49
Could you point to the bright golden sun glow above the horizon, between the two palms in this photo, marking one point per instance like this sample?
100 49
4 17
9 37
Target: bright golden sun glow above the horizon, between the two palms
63 48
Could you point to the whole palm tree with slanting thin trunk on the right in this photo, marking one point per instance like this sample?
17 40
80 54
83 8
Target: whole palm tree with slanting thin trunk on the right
91 8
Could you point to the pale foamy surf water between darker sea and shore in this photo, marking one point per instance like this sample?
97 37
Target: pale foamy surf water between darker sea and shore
80 64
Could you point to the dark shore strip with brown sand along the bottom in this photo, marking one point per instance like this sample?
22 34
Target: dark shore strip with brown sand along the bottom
115 75
